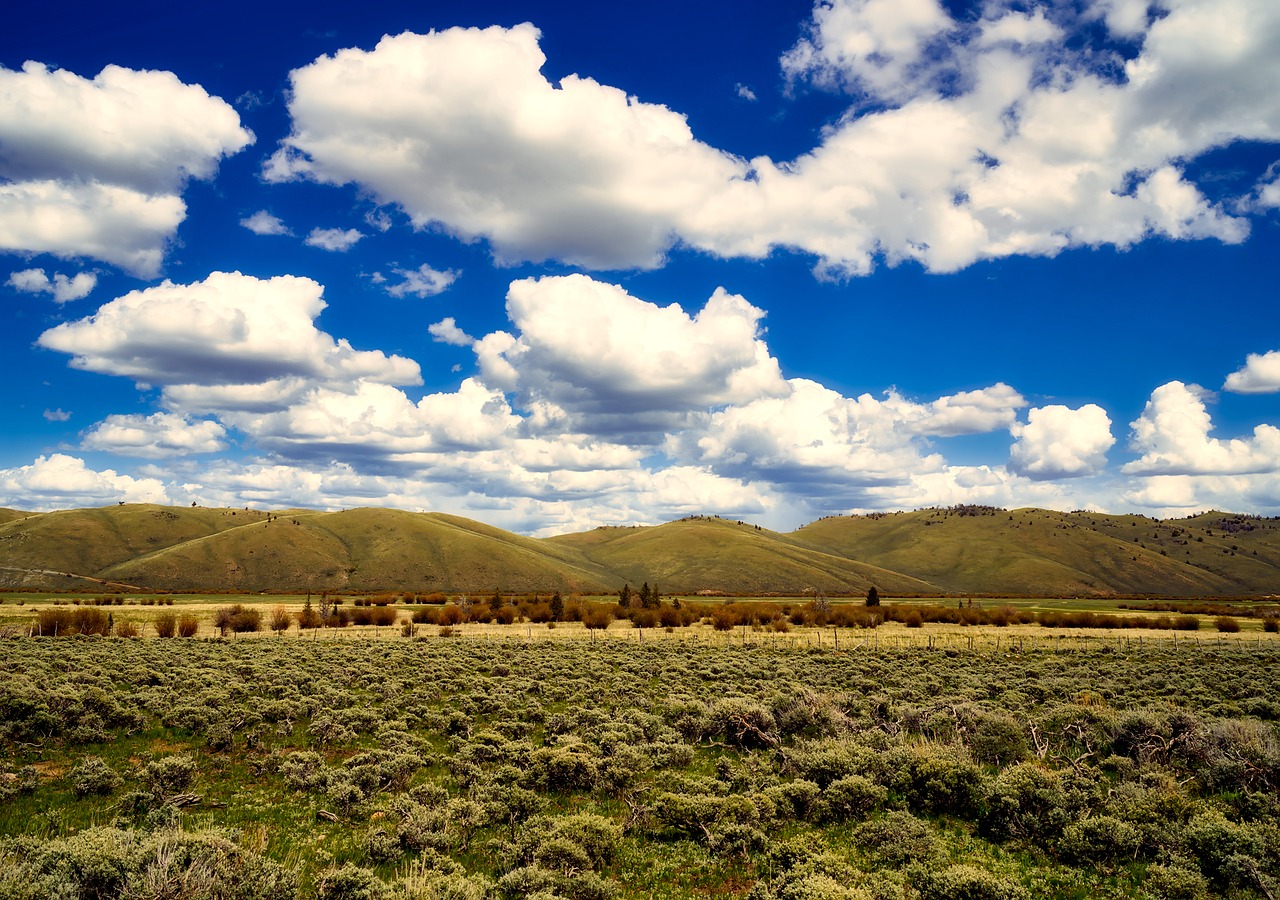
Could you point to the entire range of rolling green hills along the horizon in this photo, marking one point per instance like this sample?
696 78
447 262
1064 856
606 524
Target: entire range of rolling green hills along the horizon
954 551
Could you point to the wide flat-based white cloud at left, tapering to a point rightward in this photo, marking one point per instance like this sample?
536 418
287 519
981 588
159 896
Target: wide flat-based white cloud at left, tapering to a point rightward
231 335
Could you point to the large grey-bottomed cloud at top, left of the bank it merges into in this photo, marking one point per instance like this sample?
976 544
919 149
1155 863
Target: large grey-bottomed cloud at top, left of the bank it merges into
460 127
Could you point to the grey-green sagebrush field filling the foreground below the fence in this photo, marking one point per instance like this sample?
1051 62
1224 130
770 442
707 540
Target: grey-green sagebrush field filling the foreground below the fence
510 769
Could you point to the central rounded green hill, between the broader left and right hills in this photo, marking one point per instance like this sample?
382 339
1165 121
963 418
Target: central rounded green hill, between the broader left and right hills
708 554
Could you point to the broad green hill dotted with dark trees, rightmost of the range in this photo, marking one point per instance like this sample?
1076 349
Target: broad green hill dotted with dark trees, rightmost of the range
1037 552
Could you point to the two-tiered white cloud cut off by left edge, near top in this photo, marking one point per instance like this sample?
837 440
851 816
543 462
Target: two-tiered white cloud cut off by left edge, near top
95 168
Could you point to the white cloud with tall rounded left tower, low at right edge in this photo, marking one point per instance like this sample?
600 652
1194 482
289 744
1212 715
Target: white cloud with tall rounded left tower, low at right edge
1173 437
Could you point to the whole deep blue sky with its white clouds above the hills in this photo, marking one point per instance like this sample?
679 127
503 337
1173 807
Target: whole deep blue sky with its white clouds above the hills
561 266
